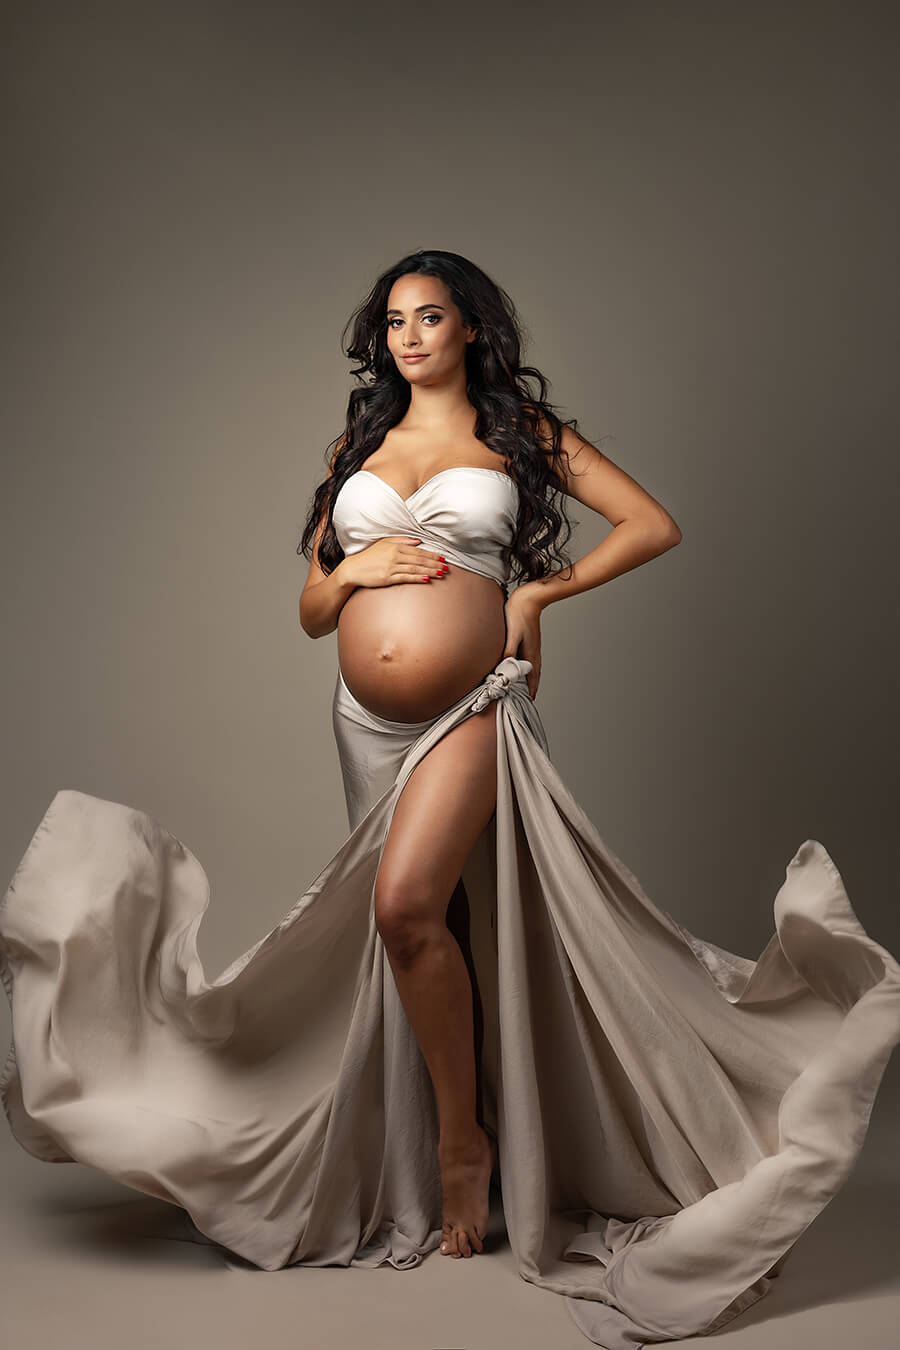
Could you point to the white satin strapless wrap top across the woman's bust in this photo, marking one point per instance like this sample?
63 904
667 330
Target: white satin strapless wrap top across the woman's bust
466 514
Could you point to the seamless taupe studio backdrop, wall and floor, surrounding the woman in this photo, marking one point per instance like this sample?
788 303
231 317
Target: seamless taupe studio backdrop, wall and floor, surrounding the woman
696 210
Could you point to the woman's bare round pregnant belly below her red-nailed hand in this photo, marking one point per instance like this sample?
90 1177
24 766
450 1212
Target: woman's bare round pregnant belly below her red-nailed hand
412 650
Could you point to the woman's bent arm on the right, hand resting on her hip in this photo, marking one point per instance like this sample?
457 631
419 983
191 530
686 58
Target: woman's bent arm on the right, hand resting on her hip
643 530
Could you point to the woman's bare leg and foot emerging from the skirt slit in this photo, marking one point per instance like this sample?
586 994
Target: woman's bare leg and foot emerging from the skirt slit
446 804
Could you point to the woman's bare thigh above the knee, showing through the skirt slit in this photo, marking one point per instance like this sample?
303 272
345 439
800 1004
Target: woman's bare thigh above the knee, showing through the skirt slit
441 813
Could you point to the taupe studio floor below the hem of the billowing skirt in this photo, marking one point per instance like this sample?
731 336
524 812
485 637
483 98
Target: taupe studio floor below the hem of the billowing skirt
94 1266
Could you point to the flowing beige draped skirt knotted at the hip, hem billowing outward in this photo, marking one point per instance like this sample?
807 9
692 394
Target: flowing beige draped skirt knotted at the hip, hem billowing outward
671 1117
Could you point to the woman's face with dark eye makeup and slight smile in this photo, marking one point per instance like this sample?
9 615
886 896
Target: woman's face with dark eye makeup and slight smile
424 322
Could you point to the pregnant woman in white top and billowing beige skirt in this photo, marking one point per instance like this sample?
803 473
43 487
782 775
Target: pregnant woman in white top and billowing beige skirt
474 986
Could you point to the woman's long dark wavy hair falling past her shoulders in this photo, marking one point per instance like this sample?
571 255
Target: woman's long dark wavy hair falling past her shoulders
508 412
